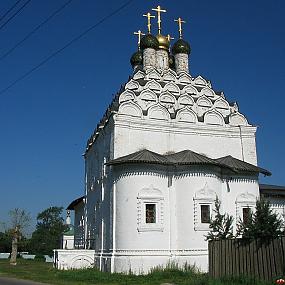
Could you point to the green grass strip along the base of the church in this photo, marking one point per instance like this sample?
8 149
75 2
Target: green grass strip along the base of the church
44 272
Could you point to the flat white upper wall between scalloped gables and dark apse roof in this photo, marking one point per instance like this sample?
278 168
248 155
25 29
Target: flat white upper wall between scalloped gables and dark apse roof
133 134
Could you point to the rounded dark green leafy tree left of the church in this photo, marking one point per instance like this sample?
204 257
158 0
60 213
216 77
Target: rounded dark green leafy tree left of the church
49 230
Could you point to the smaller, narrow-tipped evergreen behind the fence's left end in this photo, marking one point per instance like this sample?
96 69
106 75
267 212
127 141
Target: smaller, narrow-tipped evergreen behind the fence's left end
221 226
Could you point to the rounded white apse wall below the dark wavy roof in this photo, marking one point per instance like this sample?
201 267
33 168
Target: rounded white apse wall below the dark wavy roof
178 235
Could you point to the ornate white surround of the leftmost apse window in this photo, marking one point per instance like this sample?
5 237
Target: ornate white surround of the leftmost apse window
146 196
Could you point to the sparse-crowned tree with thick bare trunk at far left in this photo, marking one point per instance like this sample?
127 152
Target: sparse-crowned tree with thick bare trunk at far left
20 220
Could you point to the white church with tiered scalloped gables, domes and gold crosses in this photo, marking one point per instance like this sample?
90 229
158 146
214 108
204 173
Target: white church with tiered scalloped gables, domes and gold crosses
166 147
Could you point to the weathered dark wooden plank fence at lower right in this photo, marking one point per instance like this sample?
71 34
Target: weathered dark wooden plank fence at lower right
235 257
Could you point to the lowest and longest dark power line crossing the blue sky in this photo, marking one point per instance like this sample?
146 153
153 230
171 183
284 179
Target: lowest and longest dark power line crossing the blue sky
65 46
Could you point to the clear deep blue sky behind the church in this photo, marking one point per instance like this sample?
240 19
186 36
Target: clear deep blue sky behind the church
46 118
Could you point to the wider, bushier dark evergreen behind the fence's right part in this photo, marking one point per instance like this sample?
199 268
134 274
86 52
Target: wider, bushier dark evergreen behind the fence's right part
263 224
